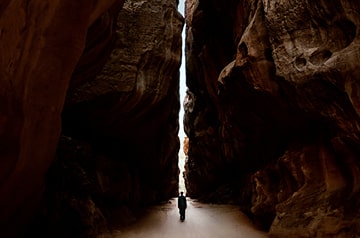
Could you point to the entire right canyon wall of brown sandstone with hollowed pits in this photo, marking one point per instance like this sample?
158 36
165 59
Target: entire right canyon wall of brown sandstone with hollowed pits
272 112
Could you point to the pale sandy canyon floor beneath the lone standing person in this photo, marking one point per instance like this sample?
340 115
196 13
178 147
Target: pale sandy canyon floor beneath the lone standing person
202 221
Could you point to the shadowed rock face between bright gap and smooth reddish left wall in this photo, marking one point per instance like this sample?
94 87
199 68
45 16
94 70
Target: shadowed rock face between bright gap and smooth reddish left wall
128 112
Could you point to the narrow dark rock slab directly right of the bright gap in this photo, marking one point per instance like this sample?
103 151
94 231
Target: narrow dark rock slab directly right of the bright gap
209 47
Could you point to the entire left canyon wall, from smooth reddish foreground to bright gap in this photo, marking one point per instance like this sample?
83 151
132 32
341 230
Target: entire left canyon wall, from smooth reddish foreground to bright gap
119 122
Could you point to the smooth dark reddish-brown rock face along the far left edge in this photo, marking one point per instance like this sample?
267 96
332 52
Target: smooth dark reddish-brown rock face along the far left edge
37 60
